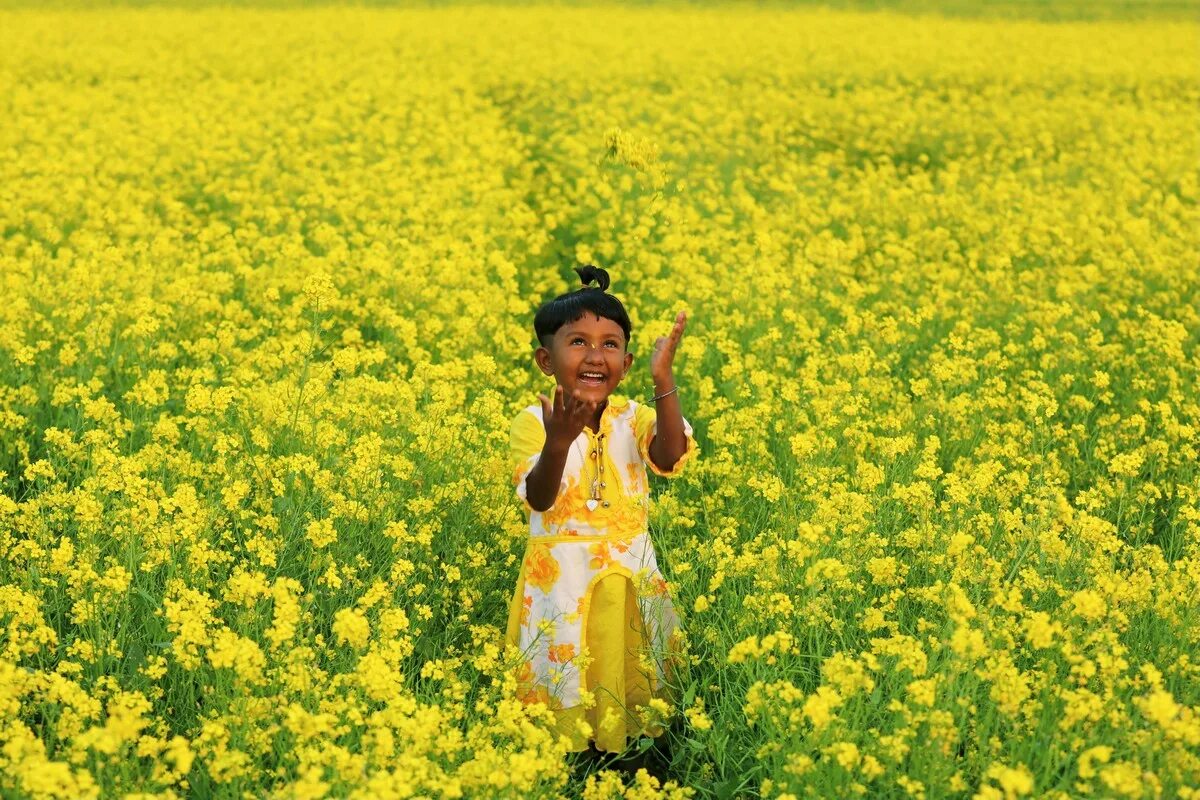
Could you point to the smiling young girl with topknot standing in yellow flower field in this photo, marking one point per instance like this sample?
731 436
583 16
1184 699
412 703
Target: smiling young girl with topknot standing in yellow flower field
591 612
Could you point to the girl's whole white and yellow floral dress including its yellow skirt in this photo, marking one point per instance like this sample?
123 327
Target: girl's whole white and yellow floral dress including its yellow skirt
591 612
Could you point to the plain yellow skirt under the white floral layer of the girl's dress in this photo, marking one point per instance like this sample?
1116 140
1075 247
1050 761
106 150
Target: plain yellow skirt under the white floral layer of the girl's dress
616 677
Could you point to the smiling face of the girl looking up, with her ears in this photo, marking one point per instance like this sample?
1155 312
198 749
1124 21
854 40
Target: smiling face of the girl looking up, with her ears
589 357
